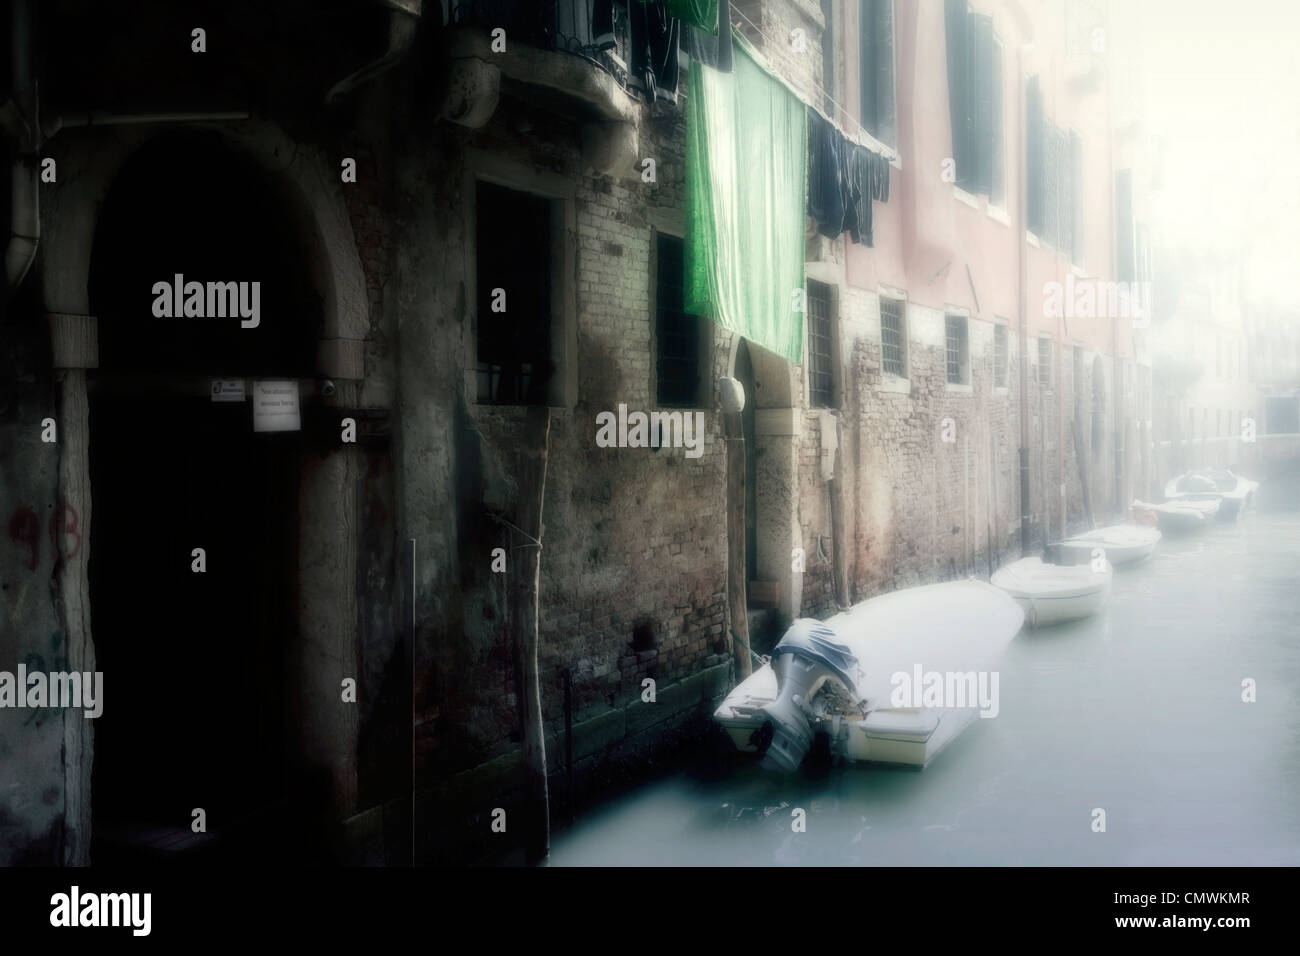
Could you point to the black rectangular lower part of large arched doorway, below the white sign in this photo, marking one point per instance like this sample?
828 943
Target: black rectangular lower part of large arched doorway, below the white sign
194 664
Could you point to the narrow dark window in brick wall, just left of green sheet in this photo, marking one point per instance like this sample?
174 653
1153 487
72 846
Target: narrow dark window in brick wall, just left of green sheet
678 335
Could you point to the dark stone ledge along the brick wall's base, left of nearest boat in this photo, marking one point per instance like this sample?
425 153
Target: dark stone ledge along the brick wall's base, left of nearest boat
605 734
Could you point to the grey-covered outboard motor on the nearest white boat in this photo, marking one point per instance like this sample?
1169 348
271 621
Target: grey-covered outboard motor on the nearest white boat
805 659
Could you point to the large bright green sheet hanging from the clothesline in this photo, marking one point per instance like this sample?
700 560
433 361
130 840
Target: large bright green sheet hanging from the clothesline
747 148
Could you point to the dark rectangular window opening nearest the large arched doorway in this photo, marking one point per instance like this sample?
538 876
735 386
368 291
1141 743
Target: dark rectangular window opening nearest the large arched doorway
514 297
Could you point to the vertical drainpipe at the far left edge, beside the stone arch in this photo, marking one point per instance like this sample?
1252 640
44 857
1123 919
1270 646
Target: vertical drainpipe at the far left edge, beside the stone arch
25 188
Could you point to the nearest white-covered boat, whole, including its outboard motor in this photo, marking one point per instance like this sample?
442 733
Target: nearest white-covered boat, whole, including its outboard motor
843 678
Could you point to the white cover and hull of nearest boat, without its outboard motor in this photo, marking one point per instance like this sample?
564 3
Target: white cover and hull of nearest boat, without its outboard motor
960 626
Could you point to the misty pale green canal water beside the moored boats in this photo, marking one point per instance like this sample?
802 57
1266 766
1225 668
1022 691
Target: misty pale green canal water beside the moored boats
1137 712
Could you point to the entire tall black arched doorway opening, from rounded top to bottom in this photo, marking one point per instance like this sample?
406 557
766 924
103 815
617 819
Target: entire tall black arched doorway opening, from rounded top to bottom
200 665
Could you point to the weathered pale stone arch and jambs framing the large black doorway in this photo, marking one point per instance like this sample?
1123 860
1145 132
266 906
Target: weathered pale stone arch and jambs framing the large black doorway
89 162
